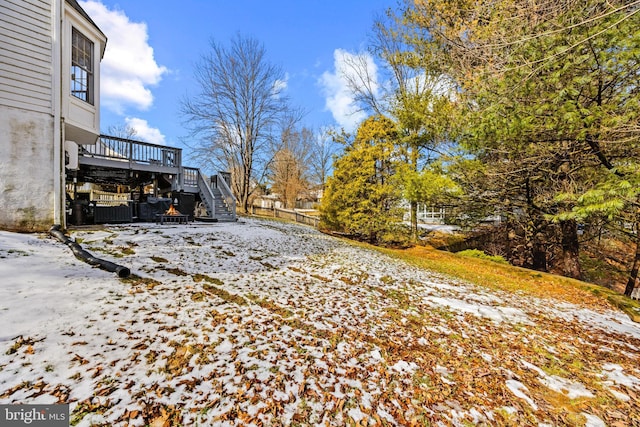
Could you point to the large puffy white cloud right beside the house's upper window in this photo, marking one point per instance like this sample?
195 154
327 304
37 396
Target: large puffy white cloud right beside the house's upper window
128 67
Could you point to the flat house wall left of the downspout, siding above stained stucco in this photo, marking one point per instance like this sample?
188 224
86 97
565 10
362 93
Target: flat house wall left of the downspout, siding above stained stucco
27 136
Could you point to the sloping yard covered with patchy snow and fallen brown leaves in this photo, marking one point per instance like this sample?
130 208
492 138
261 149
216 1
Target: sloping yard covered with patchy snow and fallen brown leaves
266 323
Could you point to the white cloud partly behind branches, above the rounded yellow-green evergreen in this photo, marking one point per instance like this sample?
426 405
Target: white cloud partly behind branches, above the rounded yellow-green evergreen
339 99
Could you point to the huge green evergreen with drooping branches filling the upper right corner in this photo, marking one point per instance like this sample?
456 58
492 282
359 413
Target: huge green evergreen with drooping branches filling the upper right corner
550 99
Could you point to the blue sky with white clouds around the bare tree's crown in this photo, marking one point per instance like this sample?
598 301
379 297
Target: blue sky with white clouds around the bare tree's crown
153 46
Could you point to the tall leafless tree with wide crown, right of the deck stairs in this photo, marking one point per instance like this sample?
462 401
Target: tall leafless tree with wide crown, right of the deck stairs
236 112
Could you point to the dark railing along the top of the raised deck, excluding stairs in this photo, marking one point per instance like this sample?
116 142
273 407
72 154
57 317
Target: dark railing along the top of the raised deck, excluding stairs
127 150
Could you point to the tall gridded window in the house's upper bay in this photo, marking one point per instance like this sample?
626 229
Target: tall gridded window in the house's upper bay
81 67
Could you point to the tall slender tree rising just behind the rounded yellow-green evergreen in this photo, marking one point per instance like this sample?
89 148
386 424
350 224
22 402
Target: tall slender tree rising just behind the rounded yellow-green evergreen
414 94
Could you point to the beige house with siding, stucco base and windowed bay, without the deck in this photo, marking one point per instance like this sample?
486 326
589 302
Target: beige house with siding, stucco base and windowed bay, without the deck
50 53
